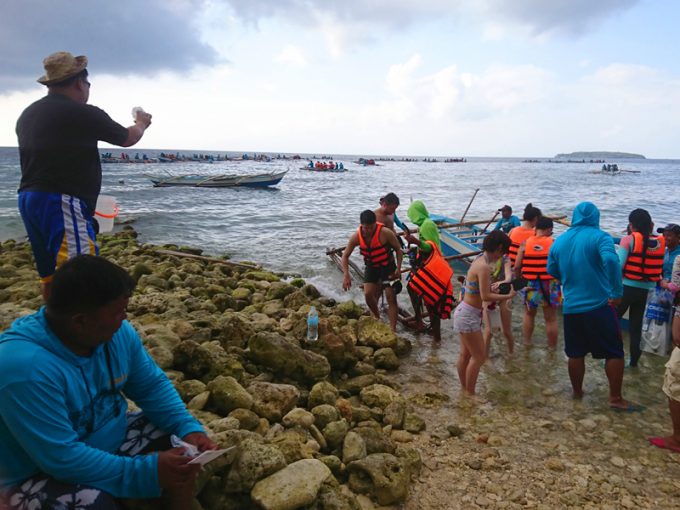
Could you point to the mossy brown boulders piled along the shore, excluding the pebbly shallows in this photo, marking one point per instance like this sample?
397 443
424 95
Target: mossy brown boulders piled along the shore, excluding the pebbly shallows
315 424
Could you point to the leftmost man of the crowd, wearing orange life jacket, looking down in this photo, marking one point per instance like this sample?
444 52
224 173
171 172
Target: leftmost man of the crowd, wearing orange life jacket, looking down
376 244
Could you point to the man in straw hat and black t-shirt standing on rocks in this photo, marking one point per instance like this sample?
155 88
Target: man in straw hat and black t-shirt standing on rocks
60 167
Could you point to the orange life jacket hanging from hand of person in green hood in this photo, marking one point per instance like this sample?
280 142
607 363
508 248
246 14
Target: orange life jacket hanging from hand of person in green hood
432 281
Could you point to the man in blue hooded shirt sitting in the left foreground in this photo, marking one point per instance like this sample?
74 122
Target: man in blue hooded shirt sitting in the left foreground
65 373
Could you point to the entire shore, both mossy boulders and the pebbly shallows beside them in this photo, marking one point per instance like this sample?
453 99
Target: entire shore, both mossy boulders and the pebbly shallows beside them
362 418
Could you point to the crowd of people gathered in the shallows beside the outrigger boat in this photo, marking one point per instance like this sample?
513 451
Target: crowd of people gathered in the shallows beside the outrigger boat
594 281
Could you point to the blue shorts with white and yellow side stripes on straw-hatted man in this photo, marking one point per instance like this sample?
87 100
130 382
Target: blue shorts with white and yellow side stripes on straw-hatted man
59 227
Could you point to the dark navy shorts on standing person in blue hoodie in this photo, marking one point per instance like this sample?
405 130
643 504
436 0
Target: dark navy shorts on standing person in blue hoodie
596 332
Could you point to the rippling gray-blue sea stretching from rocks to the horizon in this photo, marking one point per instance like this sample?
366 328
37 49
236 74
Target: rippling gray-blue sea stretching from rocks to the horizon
289 227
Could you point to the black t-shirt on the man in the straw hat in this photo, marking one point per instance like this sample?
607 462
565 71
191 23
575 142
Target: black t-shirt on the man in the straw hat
58 146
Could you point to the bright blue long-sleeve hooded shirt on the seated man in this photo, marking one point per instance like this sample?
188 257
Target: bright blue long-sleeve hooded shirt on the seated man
58 413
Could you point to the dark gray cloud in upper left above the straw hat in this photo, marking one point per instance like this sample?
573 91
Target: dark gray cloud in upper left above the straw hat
122 37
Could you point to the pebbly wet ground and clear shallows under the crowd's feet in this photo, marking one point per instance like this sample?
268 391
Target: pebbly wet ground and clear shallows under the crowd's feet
528 444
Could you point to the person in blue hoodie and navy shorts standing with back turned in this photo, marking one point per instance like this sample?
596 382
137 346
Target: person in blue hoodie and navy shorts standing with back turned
585 261
